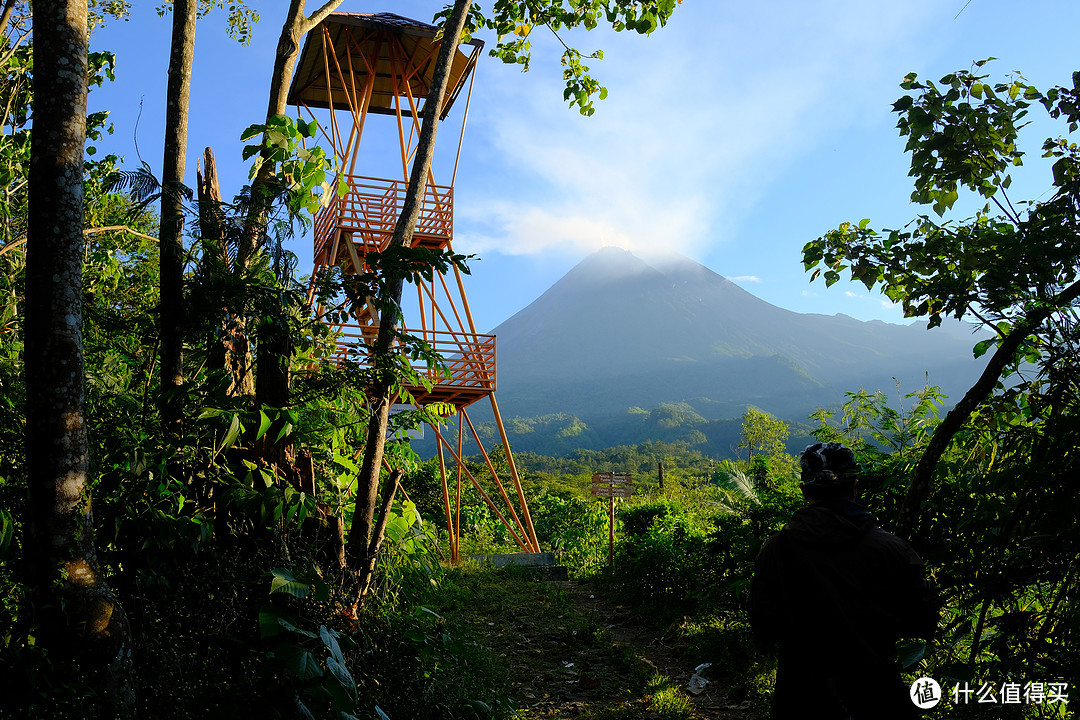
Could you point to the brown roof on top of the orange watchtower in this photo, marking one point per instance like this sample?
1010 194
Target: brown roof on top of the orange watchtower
399 51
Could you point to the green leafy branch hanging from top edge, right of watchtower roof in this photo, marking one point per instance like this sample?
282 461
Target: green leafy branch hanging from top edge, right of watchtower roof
515 22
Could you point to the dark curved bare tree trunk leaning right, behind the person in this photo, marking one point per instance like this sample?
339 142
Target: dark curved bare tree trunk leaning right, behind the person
922 487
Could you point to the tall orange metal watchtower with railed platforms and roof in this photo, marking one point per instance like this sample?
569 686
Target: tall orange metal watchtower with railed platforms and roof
356 65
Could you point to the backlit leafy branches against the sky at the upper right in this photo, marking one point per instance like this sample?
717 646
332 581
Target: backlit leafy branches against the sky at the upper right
1010 256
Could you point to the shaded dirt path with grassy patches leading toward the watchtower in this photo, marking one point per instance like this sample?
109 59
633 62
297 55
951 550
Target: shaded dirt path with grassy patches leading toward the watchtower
573 654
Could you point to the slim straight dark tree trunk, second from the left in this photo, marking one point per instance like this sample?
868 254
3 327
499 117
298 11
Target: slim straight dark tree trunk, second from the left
172 214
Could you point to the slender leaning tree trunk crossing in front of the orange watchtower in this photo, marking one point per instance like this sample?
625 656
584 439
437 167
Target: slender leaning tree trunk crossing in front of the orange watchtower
368 486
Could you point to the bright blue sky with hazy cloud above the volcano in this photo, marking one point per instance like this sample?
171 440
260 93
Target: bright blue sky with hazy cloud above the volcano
734 135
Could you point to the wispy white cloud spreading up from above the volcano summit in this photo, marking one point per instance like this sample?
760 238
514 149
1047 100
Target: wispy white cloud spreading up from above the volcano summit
691 138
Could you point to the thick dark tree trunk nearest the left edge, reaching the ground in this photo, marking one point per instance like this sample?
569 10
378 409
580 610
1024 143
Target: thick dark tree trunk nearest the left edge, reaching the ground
80 618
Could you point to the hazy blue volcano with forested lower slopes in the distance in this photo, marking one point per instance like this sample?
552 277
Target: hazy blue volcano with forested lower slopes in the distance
623 350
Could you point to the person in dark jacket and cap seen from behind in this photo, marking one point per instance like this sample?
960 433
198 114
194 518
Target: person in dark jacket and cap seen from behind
835 592
